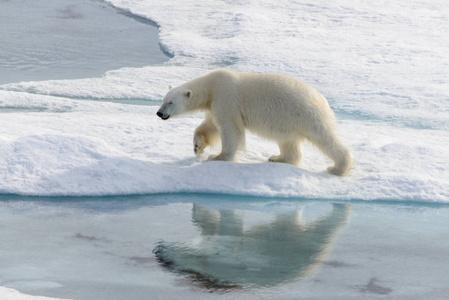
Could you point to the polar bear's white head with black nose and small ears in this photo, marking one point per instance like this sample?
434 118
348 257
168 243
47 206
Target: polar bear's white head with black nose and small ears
175 102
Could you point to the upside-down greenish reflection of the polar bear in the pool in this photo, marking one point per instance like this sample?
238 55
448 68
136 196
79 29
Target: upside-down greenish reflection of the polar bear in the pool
266 255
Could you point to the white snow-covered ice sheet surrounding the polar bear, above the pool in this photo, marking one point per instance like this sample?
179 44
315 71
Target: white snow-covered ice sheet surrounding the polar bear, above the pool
381 65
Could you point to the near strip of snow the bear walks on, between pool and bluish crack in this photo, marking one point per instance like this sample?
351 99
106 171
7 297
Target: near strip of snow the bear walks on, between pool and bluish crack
53 146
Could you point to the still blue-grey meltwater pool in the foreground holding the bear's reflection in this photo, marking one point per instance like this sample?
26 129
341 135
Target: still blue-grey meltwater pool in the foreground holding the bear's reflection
192 246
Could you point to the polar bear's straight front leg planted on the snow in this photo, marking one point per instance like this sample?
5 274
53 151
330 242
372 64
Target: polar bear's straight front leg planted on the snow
232 138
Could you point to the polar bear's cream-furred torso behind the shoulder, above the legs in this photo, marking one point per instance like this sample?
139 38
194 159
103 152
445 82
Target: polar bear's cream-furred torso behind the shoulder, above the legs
278 106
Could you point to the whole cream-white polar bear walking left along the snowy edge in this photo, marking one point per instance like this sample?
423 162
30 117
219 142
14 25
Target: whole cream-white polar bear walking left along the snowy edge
272 106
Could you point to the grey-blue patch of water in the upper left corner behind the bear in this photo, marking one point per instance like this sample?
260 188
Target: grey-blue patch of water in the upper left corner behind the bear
68 39
